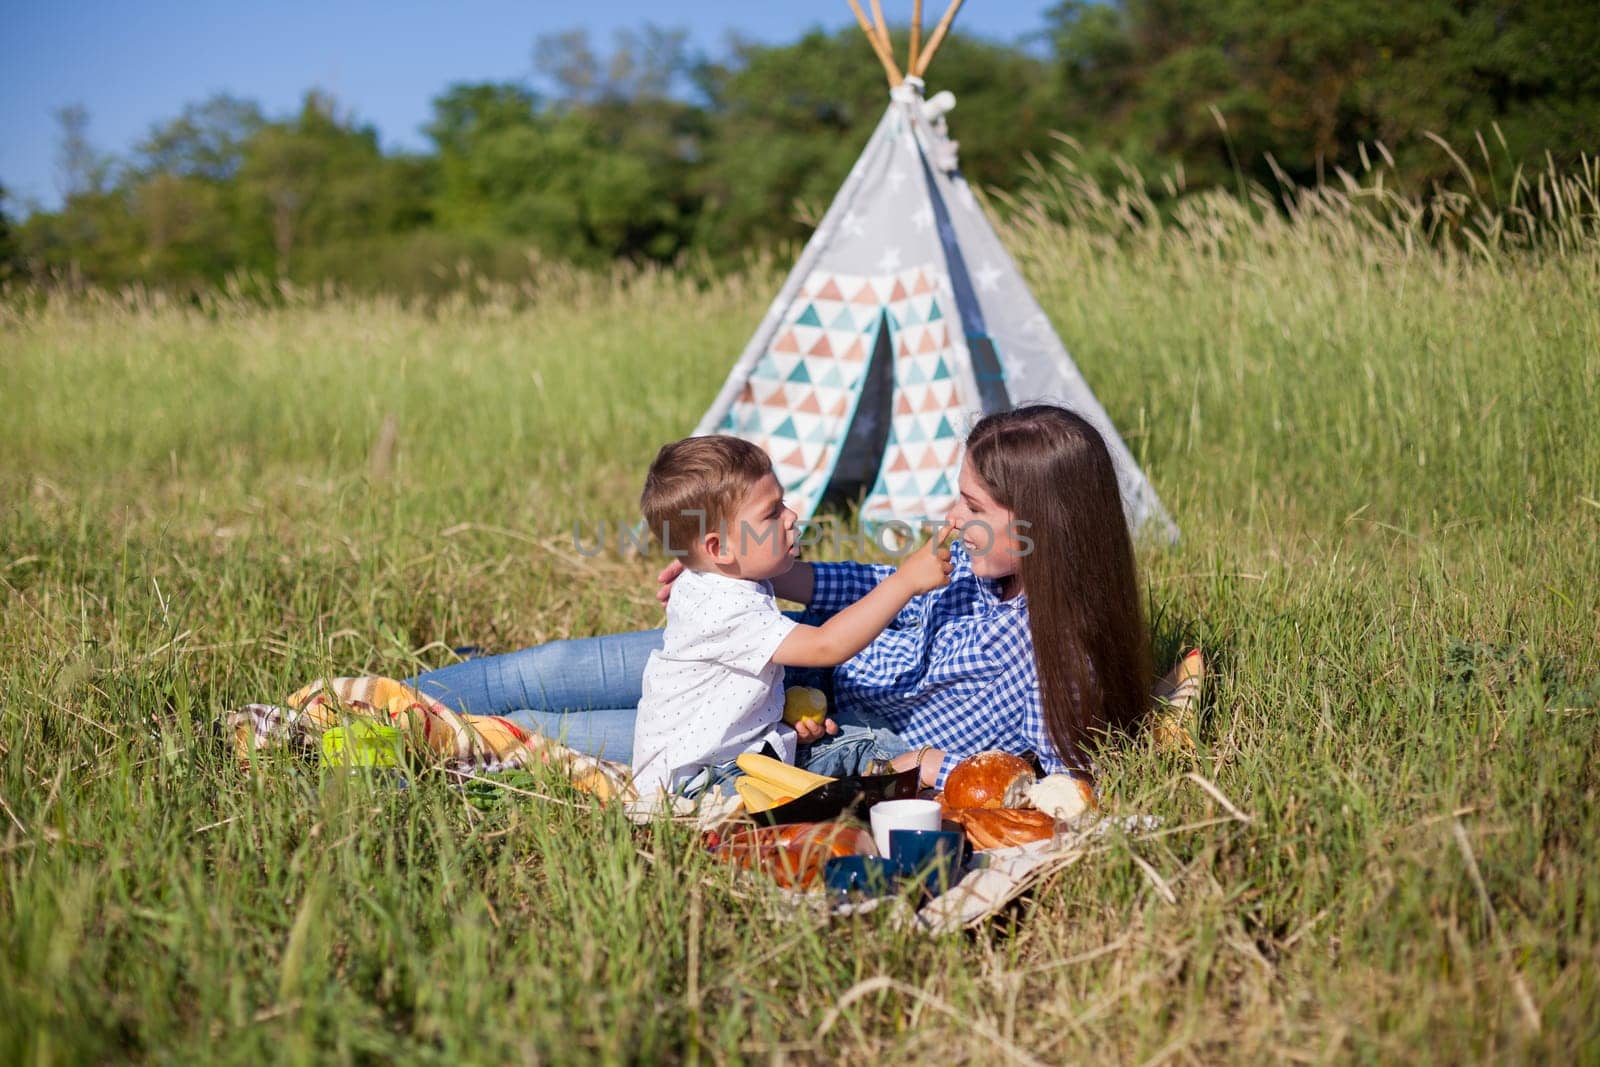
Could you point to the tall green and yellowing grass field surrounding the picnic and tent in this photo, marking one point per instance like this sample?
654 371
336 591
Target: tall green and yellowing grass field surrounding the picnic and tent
1382 446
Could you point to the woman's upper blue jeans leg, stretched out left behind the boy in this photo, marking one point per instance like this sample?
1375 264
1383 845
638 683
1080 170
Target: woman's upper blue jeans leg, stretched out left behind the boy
593 673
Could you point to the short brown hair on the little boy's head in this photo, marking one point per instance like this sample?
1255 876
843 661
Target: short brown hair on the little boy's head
697 486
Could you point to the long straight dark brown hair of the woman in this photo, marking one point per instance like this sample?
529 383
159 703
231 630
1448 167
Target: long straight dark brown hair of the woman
1052 471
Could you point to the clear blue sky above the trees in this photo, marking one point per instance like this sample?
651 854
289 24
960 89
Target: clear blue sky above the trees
135 63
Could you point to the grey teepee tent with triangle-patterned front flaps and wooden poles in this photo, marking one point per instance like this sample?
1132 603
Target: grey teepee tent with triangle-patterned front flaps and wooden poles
900 326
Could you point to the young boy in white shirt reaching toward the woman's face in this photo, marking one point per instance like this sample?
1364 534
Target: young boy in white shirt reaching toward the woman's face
716 689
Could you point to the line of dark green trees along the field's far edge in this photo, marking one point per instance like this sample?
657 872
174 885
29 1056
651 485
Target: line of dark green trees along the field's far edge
652 151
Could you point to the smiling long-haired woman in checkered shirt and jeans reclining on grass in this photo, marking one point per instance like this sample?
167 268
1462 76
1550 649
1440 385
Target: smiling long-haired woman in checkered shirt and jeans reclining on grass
1036 645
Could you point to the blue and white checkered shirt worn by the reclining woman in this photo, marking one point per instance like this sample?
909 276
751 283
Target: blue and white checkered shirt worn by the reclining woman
954 671
